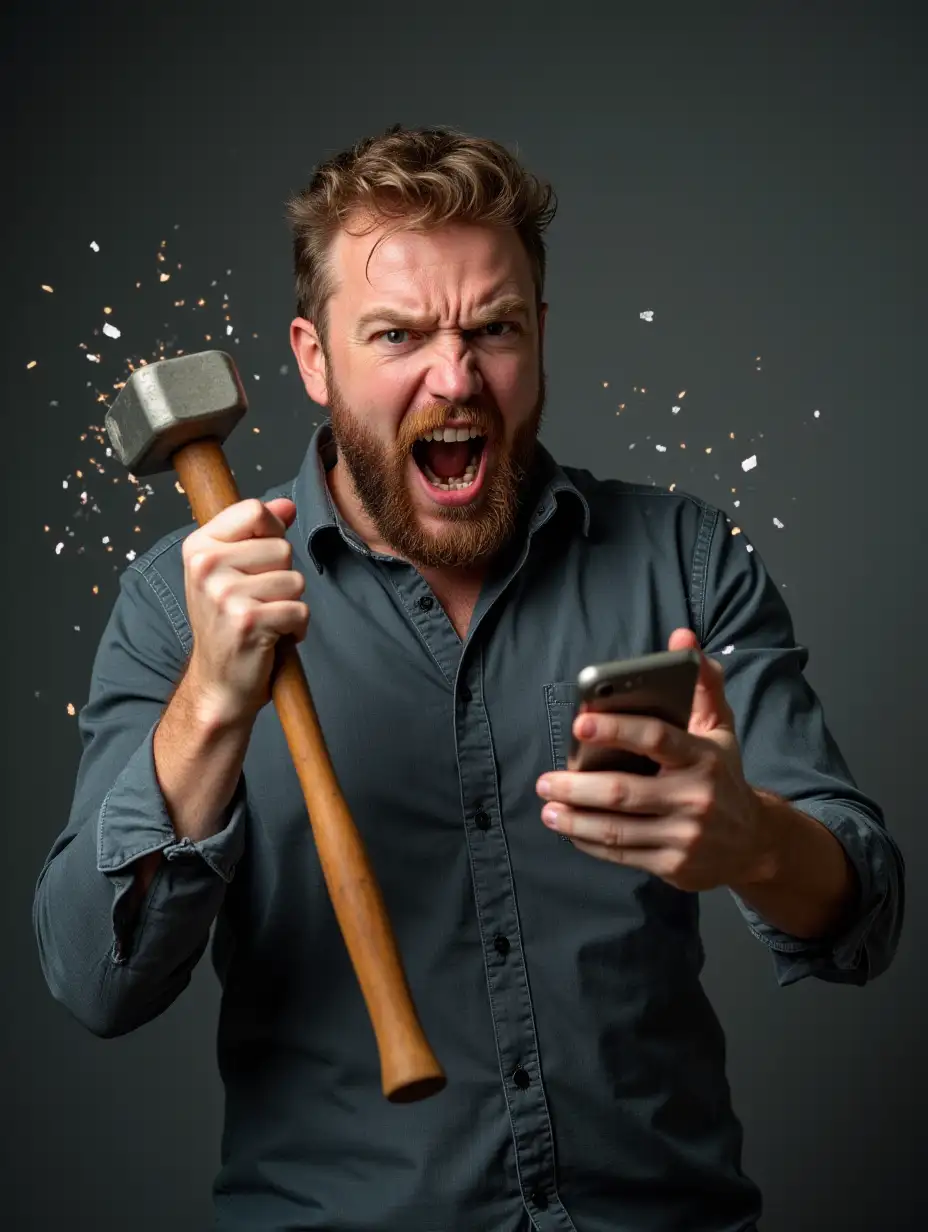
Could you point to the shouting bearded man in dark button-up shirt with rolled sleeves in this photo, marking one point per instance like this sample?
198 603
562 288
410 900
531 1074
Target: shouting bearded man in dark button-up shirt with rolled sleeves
446 593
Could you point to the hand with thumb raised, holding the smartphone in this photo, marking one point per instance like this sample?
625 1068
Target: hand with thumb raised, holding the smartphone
697 824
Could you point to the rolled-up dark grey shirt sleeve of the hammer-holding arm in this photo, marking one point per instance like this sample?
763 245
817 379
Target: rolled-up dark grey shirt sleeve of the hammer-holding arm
113 968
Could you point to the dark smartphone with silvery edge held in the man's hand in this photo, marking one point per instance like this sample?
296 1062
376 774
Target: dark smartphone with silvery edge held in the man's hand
657 686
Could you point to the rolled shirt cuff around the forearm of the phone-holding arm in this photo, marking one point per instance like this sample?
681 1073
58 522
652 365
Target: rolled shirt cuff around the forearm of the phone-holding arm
842 958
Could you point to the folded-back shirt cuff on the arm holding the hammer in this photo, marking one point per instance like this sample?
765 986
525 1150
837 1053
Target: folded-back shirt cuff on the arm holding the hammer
135 822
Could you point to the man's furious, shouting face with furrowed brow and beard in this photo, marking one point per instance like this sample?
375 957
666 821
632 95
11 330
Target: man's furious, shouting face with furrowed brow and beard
441 330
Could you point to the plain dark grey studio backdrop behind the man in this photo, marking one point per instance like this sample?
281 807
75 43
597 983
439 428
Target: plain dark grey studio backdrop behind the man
752 176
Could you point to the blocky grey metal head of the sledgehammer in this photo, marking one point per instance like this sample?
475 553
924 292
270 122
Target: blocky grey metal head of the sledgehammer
171 403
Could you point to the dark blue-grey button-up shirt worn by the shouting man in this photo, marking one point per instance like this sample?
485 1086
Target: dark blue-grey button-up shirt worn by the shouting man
561 994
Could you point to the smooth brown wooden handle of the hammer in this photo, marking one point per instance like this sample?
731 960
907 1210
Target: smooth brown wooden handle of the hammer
409 1068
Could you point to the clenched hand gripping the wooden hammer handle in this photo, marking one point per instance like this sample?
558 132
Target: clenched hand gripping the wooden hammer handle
242 597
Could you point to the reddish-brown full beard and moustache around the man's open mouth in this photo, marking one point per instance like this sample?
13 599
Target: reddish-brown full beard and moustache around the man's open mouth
471 535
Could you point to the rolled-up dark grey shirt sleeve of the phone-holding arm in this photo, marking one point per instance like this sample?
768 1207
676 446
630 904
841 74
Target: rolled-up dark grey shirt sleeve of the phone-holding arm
788 750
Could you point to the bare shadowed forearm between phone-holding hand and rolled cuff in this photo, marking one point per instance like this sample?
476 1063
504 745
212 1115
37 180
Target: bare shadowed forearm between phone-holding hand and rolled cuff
805 884
